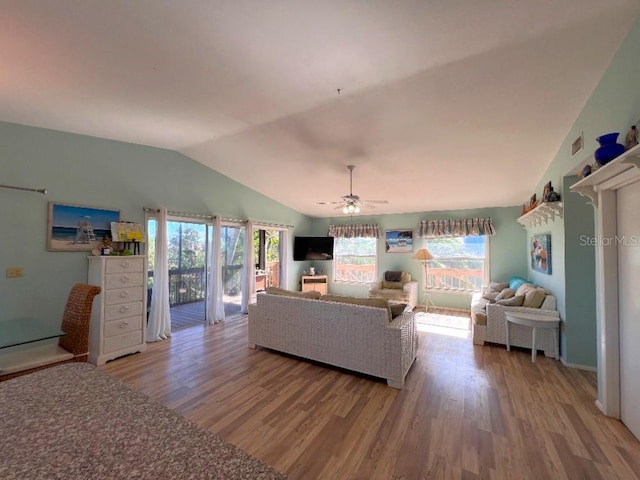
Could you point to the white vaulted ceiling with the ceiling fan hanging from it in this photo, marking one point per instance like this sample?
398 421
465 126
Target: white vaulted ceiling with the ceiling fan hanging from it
444 104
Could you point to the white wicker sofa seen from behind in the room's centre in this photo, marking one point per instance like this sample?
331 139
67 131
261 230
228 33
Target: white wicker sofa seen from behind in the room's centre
355 334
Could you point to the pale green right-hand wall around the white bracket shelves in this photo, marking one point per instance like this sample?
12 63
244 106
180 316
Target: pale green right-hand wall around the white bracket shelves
613 107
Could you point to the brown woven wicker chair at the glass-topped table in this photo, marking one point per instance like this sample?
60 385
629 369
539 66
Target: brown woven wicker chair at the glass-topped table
72 347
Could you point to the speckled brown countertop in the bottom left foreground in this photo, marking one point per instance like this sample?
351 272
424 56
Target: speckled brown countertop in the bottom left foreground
76 422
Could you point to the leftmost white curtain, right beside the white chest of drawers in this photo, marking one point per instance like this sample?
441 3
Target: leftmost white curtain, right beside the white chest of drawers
159 325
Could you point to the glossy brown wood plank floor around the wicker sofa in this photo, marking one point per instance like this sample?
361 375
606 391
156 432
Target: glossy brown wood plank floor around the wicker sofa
466 412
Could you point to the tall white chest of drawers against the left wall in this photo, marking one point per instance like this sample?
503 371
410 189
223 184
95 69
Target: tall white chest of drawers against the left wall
118 319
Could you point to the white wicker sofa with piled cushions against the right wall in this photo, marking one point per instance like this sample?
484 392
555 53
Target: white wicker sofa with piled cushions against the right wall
489 319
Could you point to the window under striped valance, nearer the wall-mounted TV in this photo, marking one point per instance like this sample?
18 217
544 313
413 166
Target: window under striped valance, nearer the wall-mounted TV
354 260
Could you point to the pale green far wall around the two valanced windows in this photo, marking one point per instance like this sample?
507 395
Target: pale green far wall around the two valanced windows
506 247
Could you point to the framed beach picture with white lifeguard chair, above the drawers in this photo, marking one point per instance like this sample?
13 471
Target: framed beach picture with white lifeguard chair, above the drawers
76 228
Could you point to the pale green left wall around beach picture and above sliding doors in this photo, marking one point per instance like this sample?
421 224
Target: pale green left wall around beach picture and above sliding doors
77 169
